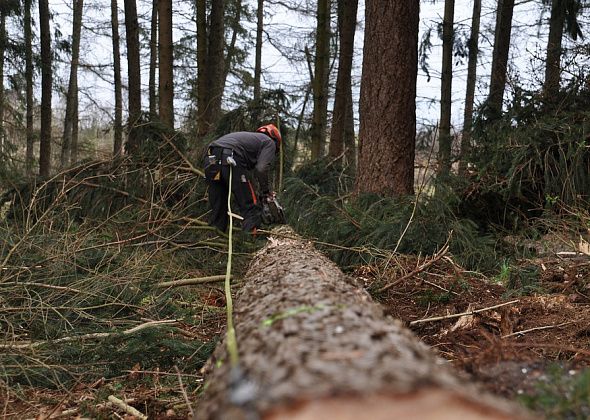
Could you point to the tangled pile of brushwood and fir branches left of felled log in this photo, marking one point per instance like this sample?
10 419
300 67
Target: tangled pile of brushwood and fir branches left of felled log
90 266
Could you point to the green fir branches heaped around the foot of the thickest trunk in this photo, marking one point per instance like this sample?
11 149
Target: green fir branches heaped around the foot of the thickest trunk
319 205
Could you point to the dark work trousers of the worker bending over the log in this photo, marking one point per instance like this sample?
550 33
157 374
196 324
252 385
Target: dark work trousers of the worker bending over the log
243 193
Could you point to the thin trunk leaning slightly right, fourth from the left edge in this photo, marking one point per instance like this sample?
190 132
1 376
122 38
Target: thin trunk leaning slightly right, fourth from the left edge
70 121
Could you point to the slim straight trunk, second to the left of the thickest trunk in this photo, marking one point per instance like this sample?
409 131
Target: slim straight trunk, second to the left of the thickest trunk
320 80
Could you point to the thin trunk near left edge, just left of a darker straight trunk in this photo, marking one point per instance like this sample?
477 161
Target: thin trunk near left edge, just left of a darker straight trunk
29 154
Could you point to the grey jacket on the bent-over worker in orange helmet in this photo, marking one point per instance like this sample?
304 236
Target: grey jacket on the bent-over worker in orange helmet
254 151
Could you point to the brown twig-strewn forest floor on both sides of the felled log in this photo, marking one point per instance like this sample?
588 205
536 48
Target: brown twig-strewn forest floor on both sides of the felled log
533 348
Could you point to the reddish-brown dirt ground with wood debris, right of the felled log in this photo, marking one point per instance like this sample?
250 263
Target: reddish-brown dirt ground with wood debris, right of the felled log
507 349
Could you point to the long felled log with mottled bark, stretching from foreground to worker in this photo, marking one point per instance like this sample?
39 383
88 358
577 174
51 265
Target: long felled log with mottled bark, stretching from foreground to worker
313 345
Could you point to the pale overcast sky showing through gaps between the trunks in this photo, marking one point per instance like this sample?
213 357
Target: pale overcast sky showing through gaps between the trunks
526 50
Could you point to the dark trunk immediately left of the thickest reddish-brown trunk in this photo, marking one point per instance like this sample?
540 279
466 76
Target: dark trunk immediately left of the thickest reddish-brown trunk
342 116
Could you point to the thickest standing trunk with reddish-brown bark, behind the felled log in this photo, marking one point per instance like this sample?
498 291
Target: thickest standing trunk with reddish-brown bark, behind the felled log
388 98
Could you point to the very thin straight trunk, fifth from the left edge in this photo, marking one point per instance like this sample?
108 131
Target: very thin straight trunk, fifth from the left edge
118 121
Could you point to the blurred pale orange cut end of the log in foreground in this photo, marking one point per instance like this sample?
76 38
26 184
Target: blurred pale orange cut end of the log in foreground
433 404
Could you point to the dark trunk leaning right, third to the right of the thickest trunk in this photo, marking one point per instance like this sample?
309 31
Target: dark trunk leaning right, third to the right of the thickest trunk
500 57
